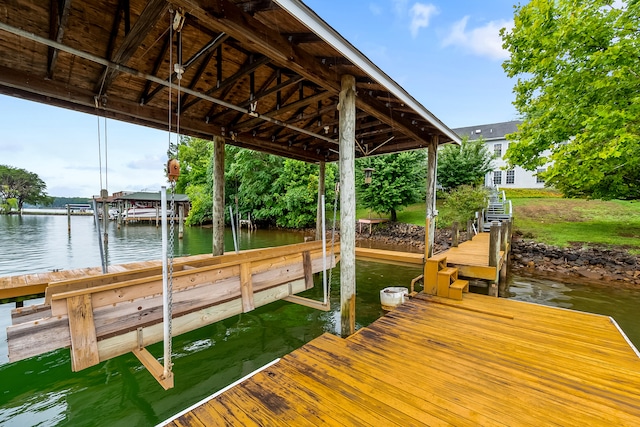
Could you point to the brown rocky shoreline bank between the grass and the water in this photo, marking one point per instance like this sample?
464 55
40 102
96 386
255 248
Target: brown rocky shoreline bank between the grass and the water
614 266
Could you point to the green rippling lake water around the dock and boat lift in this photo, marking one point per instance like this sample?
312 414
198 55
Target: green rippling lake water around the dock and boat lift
120 392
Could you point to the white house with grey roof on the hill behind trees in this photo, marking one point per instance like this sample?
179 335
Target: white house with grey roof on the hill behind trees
494 137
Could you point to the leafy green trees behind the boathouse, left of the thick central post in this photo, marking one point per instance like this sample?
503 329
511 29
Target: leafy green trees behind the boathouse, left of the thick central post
274 190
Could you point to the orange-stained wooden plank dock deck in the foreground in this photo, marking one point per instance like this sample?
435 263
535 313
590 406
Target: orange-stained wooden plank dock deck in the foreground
434 361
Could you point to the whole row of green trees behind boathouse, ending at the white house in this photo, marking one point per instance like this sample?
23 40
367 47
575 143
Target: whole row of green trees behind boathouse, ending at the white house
283 192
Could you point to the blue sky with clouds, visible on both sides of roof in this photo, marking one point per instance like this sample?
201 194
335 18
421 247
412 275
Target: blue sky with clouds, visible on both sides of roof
447 54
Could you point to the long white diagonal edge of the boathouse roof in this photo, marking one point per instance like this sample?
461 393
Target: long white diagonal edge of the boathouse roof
316 24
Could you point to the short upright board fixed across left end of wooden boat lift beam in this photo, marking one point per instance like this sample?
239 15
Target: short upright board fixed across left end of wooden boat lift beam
84 343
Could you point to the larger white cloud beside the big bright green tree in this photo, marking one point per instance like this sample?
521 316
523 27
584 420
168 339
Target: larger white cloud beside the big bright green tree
481 41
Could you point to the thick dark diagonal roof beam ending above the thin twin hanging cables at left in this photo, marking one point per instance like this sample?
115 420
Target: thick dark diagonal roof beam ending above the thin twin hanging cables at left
145 23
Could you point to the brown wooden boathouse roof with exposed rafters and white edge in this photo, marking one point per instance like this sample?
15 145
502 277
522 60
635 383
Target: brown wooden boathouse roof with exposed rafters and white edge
263 74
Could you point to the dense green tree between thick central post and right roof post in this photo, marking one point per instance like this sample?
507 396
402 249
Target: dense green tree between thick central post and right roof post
398 180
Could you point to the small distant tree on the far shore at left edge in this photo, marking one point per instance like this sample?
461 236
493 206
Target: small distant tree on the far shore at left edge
23 186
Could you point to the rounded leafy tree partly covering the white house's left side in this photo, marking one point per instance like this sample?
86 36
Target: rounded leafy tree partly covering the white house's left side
465 164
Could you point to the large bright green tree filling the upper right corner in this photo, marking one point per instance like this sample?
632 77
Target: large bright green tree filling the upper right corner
578 70
